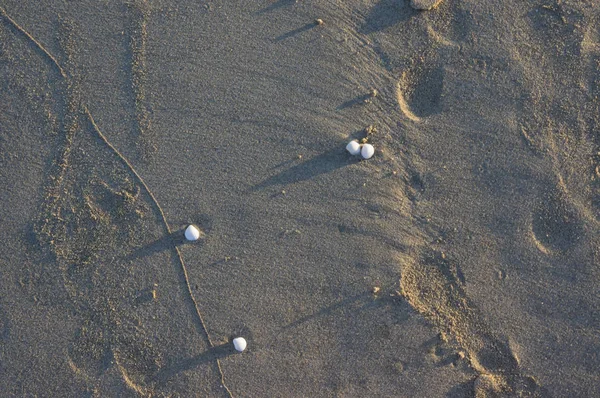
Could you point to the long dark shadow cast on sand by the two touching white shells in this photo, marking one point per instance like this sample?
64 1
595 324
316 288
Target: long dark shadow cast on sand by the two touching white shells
324 163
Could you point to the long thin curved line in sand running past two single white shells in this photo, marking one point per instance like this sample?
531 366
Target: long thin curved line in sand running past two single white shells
54 62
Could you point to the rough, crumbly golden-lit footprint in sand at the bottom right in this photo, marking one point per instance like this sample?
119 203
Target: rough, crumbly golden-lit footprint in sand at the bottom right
433 285
